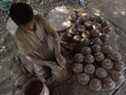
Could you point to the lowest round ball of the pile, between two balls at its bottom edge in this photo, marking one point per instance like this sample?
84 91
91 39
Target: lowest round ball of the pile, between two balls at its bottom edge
95 85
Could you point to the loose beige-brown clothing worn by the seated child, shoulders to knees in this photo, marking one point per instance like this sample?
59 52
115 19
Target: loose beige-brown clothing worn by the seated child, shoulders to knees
40 48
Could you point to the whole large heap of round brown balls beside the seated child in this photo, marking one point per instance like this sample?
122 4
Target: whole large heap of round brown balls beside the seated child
86 46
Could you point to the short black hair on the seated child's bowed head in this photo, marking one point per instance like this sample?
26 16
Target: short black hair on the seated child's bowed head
21 13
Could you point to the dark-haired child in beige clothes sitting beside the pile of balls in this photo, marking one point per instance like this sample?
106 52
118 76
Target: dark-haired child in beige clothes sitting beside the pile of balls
38 44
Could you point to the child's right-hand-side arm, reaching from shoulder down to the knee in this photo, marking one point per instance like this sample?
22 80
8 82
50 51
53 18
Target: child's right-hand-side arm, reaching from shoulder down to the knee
57 39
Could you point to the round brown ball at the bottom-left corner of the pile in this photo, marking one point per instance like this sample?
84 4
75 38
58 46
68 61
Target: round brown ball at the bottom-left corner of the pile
83 78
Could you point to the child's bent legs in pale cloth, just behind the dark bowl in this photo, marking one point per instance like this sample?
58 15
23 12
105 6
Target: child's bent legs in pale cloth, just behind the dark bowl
34 66
